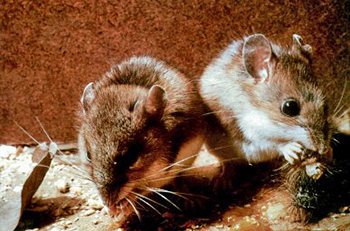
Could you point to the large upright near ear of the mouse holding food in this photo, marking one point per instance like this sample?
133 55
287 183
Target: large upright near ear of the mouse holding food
257 56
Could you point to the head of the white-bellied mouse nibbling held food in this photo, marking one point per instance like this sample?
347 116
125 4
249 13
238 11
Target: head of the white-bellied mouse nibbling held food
285 90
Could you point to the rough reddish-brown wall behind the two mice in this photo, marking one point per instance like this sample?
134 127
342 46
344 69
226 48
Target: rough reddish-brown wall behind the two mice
51 49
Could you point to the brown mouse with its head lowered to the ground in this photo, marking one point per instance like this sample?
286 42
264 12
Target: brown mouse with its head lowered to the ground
140 127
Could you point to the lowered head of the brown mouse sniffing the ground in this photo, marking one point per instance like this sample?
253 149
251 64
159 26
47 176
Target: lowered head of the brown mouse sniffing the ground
124 143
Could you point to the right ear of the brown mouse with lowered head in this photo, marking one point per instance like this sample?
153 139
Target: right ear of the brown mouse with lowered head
156 102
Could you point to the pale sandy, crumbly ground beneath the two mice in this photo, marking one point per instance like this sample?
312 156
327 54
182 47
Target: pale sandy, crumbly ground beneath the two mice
66 200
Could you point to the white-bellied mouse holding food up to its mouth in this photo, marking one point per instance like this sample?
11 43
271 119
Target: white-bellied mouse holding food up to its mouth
263 103
